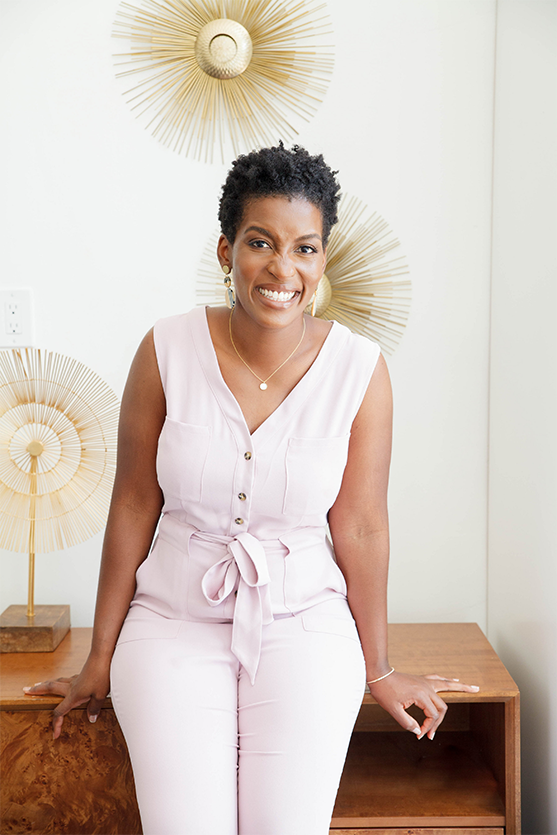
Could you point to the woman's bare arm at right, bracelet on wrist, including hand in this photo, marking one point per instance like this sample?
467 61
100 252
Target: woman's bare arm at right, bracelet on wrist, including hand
360 531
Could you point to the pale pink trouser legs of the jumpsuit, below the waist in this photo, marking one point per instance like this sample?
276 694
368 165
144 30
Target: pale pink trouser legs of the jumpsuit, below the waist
213 754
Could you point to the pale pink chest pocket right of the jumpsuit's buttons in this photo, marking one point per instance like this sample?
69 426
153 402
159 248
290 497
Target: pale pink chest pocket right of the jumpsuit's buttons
314 470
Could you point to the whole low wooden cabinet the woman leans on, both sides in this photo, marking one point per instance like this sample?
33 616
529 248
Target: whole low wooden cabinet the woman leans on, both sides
464 782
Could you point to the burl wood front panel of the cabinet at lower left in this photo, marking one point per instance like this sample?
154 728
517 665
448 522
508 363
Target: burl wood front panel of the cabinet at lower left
80 783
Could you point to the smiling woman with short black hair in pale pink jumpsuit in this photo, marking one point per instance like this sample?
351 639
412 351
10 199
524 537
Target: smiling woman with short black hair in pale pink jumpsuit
237 649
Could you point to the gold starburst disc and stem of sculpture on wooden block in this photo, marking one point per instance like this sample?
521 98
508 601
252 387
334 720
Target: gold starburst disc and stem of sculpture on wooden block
58 425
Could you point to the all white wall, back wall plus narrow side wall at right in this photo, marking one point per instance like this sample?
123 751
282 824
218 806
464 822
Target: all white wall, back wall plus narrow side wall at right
107 226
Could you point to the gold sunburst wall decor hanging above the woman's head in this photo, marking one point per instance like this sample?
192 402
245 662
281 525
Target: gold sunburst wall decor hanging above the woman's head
224 72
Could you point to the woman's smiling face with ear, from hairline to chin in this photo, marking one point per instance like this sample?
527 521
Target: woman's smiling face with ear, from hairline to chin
277 258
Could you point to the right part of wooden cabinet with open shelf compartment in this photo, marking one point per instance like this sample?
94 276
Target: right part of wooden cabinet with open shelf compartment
467 778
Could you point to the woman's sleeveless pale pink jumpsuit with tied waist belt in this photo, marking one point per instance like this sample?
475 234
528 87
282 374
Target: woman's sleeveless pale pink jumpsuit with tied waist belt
238 672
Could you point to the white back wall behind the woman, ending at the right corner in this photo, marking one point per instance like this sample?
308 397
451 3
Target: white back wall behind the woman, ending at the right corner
107 226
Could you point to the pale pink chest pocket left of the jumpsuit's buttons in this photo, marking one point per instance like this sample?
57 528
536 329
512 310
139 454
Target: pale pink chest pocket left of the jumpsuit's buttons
181 458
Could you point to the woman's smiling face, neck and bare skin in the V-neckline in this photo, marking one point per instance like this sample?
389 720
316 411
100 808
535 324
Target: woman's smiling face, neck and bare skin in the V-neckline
277 259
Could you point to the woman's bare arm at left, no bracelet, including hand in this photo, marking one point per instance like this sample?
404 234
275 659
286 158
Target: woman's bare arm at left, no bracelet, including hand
134 512
